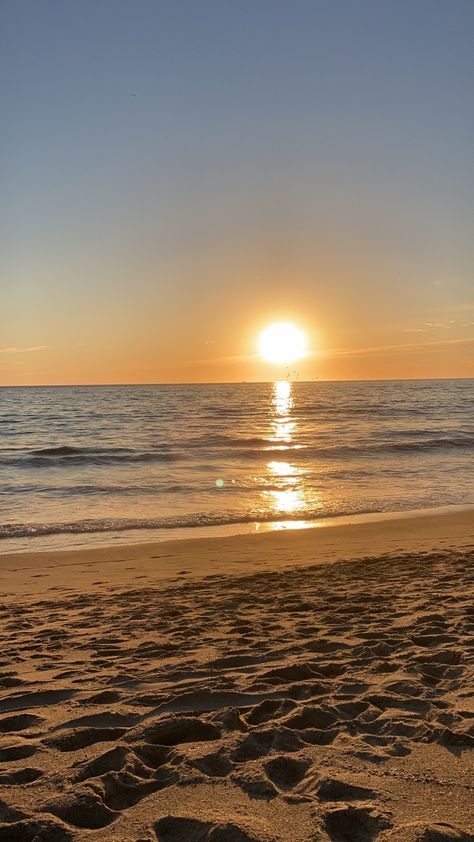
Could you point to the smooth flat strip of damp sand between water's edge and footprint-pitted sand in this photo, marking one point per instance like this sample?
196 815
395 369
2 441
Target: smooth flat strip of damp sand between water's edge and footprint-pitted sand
323 542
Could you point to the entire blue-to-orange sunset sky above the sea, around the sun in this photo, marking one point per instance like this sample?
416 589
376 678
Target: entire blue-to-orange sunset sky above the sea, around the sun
177 175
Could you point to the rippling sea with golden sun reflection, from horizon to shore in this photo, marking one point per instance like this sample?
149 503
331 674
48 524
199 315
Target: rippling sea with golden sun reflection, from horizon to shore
124 463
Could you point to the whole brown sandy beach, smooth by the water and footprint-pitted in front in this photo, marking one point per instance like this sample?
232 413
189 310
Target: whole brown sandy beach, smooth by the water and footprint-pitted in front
304 685
